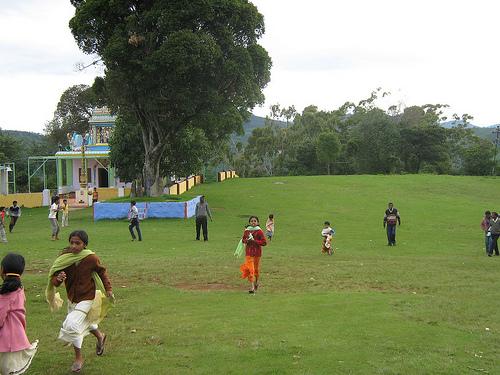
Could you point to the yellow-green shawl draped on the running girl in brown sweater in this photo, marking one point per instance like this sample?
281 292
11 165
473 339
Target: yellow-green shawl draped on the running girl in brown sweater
101 303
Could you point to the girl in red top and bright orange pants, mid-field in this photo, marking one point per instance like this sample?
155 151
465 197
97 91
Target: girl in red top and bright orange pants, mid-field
254 239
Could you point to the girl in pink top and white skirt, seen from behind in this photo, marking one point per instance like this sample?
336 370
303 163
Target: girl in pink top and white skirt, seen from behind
16 352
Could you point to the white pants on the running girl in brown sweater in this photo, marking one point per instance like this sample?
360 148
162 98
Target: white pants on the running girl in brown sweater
76 325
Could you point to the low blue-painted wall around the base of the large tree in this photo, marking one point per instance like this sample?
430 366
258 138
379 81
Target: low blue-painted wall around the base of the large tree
154 210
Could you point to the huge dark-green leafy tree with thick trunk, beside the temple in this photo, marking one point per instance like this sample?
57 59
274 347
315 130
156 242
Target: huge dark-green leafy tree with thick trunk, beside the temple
176 64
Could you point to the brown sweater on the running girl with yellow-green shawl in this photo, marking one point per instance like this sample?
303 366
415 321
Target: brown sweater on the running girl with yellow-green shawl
79 283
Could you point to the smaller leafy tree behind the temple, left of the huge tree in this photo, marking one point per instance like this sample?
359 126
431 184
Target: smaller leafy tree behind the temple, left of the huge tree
72 114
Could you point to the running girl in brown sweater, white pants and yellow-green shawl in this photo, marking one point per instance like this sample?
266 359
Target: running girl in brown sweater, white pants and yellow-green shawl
89 294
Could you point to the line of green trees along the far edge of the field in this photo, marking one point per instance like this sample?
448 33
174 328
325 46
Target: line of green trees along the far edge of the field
363 139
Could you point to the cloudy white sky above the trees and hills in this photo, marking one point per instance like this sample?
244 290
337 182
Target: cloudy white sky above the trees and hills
324 53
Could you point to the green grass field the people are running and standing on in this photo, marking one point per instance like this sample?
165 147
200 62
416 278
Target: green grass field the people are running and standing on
427 306
